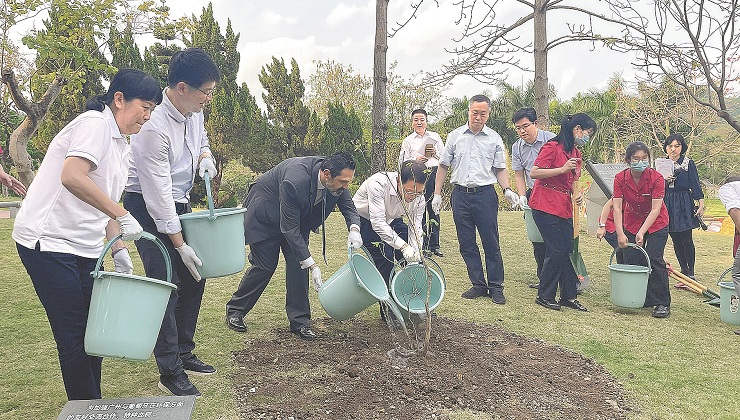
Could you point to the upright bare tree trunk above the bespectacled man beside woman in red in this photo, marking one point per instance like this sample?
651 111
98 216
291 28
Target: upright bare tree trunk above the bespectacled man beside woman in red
541 84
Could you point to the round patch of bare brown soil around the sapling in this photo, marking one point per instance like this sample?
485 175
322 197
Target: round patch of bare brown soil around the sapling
352 371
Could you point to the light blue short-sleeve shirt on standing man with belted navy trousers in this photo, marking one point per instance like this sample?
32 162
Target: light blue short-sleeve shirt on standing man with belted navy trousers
473 157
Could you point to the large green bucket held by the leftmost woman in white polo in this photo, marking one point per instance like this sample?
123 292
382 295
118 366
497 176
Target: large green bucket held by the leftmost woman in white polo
126 310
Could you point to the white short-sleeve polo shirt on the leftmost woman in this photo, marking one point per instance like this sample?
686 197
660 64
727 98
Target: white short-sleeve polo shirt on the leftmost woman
50 215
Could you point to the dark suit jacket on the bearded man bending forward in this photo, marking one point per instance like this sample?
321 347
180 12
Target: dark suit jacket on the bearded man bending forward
280 202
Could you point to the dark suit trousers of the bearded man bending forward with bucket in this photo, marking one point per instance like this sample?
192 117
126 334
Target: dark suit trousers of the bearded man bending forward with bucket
263 257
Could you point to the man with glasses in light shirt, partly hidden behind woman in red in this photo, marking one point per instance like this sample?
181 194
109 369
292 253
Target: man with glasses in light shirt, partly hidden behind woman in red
523 153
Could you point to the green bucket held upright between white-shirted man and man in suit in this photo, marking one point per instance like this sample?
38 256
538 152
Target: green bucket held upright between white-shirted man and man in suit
217 237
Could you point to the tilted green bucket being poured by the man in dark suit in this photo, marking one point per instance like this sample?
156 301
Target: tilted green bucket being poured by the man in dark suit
351 289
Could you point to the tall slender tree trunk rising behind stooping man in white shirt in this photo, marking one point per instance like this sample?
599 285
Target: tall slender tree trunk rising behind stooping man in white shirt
380 81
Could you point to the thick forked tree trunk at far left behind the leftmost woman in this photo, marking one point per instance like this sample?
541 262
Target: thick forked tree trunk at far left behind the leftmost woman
35 112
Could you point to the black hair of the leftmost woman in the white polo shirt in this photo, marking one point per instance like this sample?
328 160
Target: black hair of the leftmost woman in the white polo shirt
133 84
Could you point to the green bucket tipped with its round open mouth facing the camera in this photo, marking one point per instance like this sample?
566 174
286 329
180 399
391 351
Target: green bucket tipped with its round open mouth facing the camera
409 287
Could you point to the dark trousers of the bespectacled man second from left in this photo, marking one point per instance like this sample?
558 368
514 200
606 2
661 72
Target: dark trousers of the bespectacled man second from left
175 342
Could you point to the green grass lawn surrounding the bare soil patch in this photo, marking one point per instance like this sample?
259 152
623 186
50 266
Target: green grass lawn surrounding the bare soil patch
682 367
